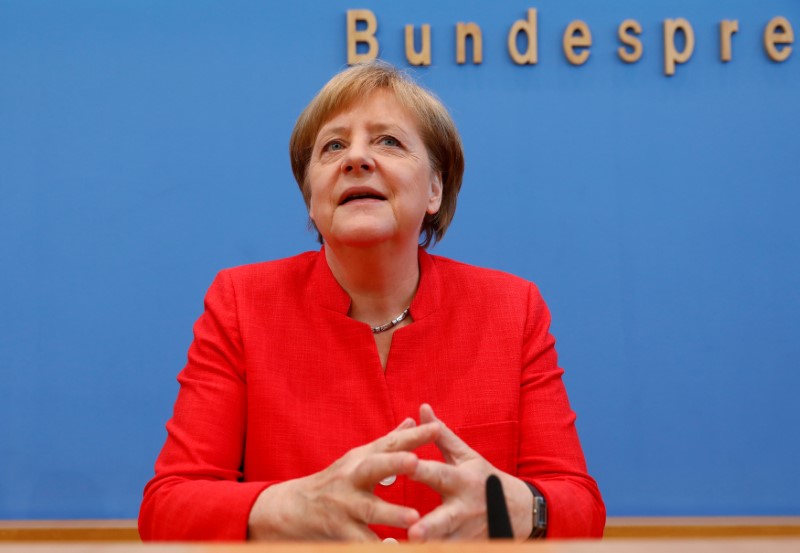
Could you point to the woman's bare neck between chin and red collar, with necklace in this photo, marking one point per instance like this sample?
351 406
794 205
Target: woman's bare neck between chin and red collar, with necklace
381 280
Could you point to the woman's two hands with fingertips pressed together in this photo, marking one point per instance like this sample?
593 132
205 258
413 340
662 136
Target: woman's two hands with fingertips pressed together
338 503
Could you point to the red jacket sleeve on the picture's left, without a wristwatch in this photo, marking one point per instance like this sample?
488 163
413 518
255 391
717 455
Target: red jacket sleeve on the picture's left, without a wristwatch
197 493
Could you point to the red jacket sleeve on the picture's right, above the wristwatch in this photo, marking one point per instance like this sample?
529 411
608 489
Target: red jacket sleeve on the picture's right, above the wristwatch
550 455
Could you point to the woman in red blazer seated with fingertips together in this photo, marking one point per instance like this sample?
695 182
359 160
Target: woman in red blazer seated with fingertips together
296 417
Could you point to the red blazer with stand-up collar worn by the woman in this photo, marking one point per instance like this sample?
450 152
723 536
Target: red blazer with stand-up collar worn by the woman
280 382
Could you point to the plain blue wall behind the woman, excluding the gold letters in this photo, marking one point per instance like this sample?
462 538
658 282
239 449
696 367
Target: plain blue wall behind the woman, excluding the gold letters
143 146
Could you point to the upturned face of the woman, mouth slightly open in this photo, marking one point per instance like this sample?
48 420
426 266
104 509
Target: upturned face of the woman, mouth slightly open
370 177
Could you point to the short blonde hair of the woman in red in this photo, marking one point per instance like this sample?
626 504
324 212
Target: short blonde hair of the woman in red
436 127
